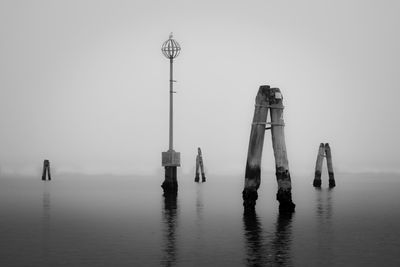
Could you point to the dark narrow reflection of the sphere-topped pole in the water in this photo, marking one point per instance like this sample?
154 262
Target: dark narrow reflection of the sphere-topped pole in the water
170 223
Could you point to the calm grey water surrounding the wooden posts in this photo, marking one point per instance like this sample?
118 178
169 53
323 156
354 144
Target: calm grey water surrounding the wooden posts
125 221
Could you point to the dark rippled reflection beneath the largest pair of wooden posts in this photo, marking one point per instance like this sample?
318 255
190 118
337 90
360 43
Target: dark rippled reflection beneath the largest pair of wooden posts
267 250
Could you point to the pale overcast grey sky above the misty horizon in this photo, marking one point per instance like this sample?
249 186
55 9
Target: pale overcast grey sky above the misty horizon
84 83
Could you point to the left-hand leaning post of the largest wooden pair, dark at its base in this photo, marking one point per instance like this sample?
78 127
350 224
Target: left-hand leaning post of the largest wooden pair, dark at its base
256 143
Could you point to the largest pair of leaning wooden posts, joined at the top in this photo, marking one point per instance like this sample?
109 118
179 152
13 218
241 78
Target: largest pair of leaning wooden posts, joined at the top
268 98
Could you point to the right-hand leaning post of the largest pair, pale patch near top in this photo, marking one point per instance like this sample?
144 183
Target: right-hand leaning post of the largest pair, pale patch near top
284 195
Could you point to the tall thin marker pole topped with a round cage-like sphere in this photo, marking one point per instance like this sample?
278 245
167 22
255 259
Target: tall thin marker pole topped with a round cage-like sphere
170 158
